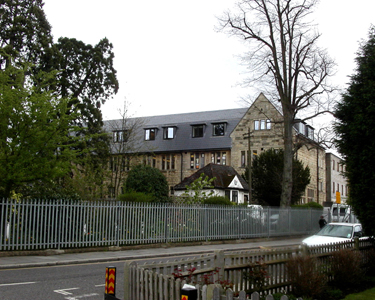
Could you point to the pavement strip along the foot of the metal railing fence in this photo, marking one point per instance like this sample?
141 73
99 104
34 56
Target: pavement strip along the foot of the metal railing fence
28 259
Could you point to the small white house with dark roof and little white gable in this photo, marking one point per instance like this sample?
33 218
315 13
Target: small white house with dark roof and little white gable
227 183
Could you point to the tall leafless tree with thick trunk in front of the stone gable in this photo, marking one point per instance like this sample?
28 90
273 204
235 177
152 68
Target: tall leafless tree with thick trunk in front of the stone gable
285 59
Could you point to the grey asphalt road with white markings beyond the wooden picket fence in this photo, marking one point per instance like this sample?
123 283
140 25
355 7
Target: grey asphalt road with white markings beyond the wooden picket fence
72 282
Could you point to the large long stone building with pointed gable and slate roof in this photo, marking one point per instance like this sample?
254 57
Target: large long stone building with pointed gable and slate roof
181 144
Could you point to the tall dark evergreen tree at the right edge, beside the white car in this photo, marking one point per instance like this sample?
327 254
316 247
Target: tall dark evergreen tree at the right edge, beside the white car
355 129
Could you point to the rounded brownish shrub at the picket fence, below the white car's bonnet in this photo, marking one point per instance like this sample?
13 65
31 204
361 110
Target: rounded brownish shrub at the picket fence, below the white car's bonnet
306 277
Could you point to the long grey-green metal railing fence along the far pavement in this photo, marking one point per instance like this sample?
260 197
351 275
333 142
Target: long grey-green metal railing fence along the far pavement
41 224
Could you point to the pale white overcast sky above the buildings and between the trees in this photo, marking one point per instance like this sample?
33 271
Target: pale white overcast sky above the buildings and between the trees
170 59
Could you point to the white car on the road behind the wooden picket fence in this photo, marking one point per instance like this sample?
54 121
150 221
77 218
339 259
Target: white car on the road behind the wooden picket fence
333 233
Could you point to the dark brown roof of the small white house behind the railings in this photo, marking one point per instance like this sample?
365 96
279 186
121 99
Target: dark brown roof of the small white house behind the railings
224 175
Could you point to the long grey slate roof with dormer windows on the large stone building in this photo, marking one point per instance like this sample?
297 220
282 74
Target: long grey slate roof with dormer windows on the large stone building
183 140
